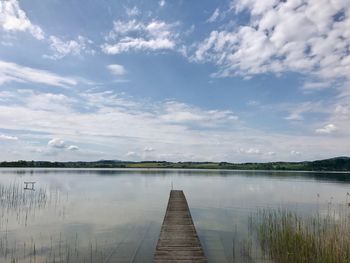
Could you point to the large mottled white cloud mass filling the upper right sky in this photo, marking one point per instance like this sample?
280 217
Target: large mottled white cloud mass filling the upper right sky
271 41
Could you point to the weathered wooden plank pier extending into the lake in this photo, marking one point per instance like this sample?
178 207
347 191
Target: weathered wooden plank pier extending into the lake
178 240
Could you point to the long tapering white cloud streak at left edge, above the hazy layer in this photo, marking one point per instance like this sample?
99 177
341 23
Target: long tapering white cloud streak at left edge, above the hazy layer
11 72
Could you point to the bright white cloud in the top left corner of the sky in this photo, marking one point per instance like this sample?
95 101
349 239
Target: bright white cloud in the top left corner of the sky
13 18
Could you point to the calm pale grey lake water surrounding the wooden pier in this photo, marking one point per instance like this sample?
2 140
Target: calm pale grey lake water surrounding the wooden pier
116 215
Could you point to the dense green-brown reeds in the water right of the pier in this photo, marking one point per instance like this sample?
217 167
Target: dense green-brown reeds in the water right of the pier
287 237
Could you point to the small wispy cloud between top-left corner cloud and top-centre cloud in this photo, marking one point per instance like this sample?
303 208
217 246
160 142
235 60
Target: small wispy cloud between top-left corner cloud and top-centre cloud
62 48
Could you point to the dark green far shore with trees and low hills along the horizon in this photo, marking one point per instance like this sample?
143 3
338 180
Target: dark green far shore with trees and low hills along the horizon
333 164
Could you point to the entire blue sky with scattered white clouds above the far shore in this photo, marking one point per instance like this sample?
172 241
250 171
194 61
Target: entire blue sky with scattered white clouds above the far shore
183 80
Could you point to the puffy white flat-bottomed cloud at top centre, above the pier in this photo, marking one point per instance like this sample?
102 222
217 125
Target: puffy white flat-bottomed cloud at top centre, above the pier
137 36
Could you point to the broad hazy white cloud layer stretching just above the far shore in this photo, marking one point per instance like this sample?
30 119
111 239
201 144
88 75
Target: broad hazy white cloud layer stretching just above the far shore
101 121
